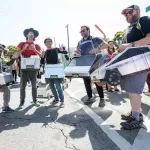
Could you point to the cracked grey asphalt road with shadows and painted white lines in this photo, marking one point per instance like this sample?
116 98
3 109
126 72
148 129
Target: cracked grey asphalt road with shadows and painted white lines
76 127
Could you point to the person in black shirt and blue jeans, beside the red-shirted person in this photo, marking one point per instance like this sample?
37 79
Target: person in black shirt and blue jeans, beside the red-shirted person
51 57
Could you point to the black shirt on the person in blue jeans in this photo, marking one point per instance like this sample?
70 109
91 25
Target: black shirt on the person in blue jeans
51 55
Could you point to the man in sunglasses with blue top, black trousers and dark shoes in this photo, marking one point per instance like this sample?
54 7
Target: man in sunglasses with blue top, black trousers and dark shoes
84 48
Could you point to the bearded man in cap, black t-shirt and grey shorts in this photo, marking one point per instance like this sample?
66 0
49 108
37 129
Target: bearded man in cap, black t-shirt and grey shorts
138 34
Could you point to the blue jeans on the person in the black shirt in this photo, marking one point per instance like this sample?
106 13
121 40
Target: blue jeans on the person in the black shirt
55 85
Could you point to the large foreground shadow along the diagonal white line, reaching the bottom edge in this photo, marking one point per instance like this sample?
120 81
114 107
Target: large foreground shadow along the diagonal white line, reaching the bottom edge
85 126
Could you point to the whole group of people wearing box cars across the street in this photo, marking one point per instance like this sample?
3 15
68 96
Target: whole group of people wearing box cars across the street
133 85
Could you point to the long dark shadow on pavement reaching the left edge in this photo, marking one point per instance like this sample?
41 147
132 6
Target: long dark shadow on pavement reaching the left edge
19 119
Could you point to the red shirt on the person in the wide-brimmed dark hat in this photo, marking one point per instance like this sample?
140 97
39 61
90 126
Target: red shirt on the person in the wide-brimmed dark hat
28 51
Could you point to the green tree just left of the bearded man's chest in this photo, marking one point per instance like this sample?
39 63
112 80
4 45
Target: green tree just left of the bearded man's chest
118 37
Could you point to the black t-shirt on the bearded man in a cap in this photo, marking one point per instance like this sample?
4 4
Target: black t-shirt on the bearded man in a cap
134 34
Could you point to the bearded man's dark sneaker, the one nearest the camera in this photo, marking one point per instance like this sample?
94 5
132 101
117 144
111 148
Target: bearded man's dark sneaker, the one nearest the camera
131 124
